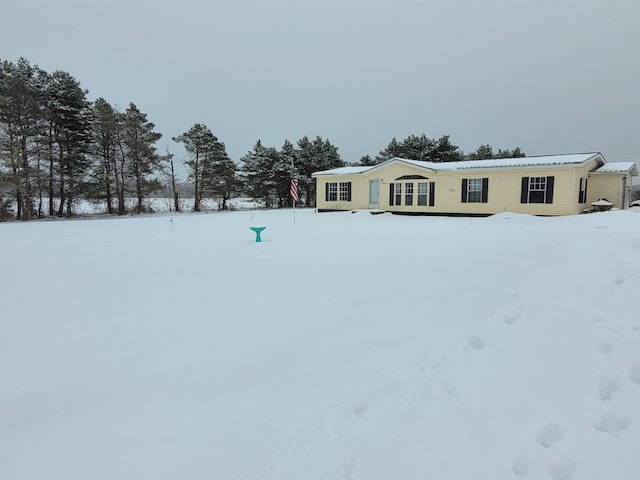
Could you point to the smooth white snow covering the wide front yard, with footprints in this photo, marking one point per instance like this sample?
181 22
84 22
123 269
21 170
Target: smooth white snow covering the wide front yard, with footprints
351 346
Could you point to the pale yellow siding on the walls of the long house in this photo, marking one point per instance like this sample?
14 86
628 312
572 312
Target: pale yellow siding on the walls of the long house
504 189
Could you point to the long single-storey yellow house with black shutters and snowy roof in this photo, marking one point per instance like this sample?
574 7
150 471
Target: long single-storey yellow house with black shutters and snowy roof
545 185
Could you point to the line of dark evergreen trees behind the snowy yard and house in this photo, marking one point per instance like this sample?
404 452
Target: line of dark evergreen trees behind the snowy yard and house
57 146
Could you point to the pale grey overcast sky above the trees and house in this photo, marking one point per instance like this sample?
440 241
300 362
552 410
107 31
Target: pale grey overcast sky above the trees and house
550 77
